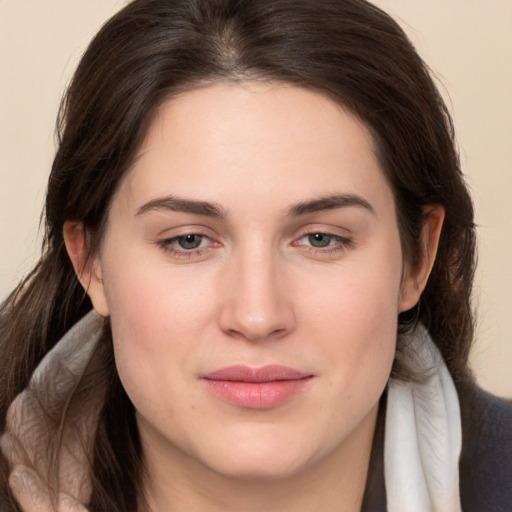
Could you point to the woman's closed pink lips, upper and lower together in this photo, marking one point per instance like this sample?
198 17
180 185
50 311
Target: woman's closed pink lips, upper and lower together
256 388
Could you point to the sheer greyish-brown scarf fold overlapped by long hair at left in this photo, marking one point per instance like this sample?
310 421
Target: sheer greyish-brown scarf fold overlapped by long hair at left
51 426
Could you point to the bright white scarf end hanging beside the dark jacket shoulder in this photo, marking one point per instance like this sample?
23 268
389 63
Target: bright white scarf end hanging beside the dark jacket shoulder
423 435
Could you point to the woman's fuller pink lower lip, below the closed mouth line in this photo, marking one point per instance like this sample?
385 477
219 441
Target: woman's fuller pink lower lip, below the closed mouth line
256 395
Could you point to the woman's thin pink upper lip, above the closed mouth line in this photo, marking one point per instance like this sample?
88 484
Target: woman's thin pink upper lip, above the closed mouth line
269 373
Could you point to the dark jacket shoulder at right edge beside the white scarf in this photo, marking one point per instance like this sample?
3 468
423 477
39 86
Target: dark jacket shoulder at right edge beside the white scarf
486 457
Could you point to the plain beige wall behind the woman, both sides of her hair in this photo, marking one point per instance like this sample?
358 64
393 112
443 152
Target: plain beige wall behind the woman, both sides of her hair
467 42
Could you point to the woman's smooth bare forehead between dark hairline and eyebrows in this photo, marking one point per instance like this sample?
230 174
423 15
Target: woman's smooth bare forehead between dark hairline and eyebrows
273 140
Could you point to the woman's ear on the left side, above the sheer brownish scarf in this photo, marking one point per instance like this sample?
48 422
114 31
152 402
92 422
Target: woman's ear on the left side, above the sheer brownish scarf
87 267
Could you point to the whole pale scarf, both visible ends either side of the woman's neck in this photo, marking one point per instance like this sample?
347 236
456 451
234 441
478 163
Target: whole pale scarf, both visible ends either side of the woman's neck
422 439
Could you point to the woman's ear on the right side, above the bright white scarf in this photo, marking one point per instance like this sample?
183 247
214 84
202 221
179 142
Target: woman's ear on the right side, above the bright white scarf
416 278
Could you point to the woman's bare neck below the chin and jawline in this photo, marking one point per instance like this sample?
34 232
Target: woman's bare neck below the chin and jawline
336 482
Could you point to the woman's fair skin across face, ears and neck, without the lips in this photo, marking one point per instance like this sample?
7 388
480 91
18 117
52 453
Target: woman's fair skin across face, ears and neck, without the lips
255 292
